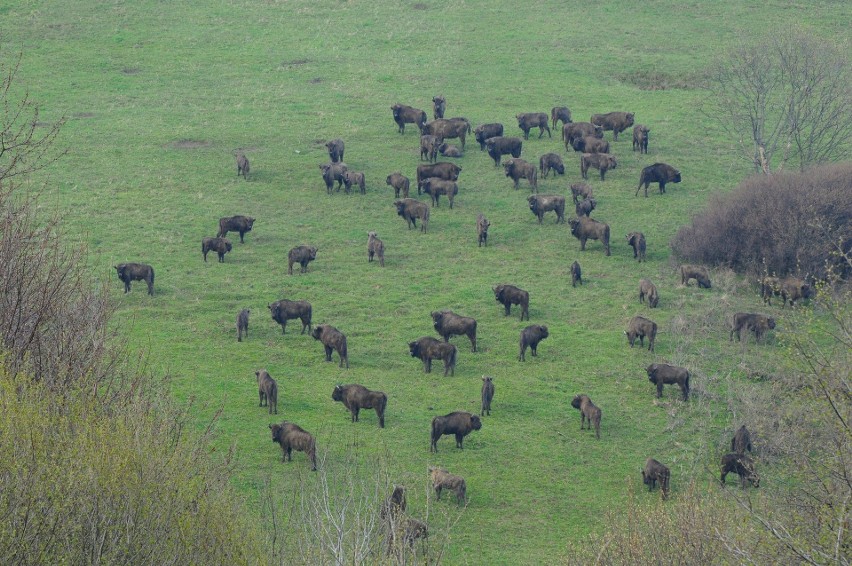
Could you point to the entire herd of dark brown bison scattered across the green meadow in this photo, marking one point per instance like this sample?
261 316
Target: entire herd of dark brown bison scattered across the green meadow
438 179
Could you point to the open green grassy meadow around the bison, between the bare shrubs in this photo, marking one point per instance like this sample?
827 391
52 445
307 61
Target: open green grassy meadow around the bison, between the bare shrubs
159 96
